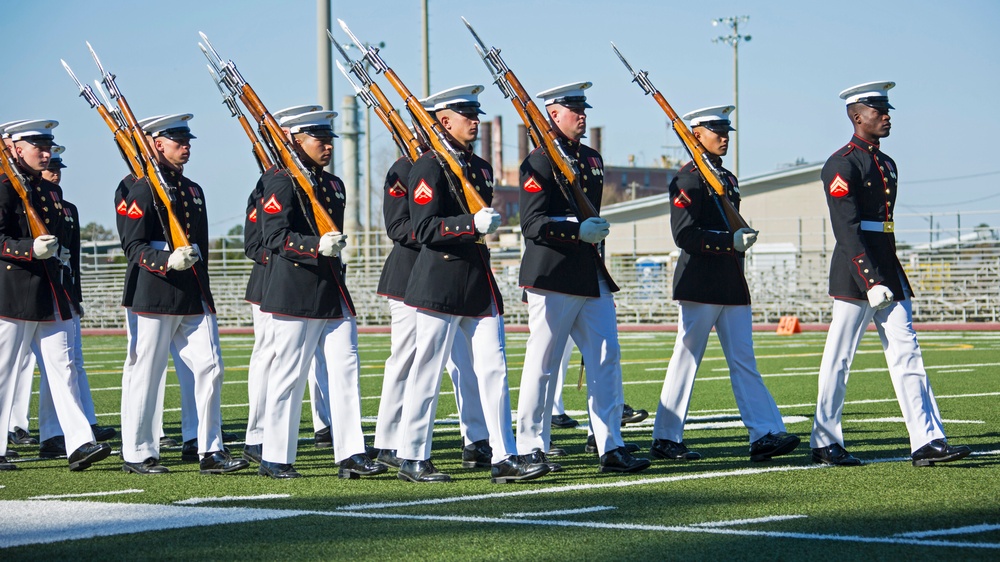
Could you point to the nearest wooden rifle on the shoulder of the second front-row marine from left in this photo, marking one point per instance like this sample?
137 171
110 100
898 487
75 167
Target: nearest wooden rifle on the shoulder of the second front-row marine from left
173 230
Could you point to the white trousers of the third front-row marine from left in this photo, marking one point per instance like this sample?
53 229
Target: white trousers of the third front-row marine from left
296 342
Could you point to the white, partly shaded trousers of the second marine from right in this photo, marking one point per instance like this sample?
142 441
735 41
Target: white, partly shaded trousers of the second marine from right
733 324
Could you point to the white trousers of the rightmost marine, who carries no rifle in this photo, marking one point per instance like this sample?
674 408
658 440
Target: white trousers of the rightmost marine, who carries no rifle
906 370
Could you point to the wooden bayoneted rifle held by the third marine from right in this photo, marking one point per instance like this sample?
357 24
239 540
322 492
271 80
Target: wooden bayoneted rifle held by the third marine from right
539 127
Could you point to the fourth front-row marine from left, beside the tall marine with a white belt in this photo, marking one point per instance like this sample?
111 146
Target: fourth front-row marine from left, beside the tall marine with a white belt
456 297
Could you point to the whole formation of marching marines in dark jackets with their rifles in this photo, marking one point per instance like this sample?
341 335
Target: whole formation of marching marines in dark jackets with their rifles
446 308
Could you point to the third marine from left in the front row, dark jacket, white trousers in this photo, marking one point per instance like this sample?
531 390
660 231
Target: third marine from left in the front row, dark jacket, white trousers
310 306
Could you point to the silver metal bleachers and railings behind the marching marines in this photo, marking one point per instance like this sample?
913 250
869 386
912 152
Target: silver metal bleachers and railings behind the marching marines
956 277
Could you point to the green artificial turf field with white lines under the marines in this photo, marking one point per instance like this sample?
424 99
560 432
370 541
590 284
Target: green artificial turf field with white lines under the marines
720 507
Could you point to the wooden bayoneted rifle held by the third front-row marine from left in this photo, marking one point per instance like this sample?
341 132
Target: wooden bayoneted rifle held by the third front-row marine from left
273 134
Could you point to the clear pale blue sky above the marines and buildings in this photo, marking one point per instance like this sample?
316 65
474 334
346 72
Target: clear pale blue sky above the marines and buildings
802 54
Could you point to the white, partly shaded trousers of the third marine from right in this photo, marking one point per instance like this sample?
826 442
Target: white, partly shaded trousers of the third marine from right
553 318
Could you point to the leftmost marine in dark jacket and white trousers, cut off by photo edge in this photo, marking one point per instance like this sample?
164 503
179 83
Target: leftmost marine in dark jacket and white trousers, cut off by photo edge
35 306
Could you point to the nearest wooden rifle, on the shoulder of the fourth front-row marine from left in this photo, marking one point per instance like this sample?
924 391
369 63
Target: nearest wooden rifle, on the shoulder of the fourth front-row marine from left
438 139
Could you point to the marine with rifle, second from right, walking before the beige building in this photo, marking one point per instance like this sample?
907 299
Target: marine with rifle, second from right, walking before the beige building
712 291
